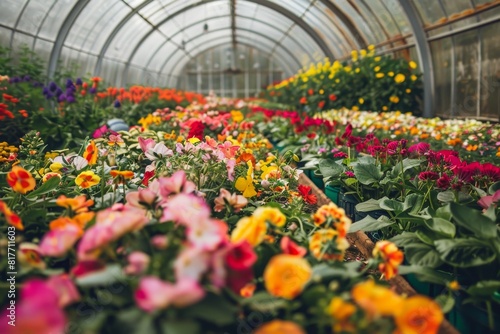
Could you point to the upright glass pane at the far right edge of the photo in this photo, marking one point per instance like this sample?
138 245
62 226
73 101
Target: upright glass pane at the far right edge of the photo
490 67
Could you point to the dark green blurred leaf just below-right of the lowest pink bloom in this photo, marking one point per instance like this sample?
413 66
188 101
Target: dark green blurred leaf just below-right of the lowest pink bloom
214 309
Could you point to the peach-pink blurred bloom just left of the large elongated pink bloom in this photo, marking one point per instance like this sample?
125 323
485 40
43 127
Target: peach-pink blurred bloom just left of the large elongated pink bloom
58 242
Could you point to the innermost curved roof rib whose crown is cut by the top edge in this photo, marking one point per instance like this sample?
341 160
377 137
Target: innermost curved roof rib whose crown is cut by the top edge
310 31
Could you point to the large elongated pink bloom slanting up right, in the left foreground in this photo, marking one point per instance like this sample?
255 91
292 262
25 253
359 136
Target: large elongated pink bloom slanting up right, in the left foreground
111 224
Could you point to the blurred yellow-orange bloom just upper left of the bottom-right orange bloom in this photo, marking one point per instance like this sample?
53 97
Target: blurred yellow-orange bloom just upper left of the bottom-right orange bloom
376 300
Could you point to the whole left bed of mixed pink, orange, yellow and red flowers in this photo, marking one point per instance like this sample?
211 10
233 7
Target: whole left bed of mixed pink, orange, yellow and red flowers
193 227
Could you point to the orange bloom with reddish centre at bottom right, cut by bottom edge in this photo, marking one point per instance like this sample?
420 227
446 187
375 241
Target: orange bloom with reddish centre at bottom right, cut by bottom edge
418 315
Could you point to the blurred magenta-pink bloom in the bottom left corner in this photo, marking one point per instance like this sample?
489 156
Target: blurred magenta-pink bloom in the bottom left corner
37 311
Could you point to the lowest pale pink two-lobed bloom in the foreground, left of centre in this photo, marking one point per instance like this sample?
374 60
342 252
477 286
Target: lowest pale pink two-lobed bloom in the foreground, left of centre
155 294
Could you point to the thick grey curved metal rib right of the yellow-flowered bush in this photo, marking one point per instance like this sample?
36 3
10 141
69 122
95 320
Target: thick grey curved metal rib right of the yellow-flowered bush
424 54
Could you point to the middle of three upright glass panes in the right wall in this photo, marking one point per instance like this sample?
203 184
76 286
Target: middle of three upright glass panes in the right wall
466 69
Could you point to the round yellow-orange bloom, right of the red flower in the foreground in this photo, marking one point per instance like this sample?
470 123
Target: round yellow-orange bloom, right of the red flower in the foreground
286 275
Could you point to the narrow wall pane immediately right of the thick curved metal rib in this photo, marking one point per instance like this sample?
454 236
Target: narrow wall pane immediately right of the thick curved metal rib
441 51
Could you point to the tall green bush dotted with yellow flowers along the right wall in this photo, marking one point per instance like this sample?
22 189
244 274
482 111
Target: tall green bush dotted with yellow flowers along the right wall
365 82
